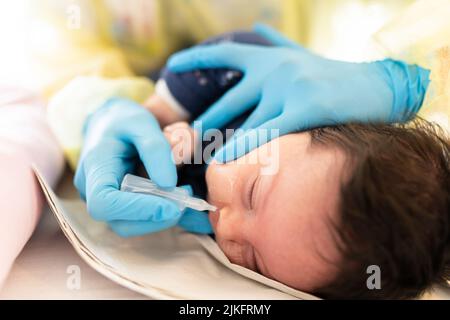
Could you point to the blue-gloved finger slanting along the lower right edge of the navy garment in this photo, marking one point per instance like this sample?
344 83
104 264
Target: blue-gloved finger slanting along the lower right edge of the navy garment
235 102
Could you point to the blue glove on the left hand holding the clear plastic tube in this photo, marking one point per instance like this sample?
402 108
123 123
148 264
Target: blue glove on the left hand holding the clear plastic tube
117 135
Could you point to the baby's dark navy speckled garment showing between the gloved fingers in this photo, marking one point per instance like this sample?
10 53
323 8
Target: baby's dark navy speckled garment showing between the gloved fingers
198 90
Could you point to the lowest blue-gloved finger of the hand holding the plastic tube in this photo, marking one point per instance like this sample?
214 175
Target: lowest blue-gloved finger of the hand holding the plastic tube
128 229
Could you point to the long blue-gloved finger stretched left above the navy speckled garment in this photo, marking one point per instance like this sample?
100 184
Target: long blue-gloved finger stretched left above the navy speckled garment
222 55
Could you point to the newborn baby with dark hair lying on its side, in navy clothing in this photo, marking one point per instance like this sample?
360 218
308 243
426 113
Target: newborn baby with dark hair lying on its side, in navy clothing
344 200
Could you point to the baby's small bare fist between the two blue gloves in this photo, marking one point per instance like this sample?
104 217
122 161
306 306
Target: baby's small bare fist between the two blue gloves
182 139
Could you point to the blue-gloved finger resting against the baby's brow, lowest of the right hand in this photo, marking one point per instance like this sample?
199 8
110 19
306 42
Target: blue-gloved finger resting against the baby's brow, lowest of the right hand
242 144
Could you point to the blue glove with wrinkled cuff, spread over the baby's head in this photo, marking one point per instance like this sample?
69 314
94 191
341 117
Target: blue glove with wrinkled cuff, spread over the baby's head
294 89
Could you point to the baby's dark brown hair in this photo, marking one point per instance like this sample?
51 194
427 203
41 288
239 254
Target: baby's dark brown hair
394 209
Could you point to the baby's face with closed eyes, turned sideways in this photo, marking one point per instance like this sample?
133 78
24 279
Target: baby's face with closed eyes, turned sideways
278 224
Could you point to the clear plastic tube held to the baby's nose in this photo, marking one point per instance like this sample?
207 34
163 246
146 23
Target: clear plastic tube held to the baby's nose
132 183
